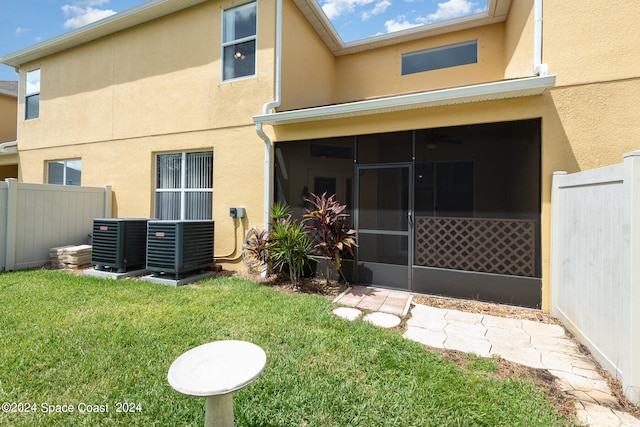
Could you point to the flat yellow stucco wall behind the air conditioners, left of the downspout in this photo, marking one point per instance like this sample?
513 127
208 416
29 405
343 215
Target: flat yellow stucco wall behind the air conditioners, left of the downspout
117 102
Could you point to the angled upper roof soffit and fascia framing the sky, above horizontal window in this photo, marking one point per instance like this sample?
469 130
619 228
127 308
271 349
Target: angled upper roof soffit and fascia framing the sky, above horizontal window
497 11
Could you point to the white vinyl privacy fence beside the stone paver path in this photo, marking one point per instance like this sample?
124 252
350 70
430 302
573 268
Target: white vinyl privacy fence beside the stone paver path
595 264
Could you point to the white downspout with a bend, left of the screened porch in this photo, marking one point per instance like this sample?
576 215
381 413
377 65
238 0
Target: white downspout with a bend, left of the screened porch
266 108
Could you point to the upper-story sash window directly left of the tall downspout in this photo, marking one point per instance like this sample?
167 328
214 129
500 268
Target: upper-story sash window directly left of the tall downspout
239 41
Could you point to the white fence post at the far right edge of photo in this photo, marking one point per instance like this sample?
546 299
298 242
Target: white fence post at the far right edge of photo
631 276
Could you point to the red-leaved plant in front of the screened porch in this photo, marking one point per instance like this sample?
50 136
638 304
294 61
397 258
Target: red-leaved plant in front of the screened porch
333 235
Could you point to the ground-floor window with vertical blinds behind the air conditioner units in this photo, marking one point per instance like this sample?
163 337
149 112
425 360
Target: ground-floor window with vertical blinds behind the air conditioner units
184 185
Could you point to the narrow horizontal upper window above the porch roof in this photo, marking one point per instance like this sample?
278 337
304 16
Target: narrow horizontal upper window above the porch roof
440 57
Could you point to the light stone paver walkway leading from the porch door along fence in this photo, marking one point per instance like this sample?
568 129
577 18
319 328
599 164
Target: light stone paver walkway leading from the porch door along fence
534 344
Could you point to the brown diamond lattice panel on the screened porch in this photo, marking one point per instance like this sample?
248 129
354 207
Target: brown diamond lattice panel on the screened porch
503 246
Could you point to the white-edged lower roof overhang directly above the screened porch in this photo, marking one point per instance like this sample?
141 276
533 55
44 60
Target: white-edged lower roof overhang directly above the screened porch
505 89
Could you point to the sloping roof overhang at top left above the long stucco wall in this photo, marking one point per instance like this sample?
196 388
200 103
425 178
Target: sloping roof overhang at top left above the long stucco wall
121 21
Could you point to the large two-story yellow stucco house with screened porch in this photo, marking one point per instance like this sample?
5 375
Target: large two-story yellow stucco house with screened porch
441 139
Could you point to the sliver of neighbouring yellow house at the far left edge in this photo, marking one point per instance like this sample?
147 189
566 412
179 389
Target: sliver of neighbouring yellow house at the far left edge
8 123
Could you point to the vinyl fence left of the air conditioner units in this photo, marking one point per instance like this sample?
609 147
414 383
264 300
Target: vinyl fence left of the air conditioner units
37 217
